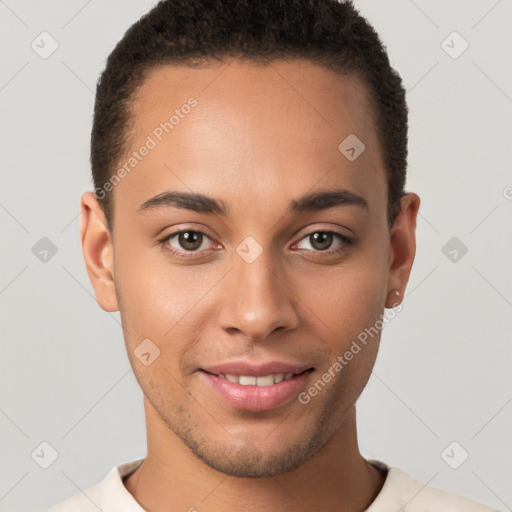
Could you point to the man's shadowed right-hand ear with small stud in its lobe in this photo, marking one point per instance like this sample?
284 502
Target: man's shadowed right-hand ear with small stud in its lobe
403 248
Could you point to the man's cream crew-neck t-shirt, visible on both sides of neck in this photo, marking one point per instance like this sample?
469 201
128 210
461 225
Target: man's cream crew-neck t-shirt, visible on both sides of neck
399 490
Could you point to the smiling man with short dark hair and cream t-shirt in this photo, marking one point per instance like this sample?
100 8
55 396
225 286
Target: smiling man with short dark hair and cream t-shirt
250 224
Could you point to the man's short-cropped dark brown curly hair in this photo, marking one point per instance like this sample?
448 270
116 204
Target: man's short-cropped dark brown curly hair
331 33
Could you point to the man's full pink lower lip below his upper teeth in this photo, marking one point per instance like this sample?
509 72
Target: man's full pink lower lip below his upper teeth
256 398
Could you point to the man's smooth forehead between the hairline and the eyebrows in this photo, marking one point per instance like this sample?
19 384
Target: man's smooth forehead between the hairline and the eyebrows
253 131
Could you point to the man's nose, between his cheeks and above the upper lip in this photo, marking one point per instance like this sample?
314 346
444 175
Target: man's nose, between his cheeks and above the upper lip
258 299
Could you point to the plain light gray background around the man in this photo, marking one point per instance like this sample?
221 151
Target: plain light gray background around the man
443 372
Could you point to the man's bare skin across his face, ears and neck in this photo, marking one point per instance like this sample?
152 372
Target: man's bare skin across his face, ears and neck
256 143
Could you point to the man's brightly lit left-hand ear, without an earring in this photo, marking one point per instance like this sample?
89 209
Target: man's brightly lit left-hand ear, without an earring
98 251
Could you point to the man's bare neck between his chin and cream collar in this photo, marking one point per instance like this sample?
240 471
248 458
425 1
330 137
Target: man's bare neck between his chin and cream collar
171 477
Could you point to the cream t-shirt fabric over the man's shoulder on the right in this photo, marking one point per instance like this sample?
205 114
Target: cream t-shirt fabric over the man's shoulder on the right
401 489
